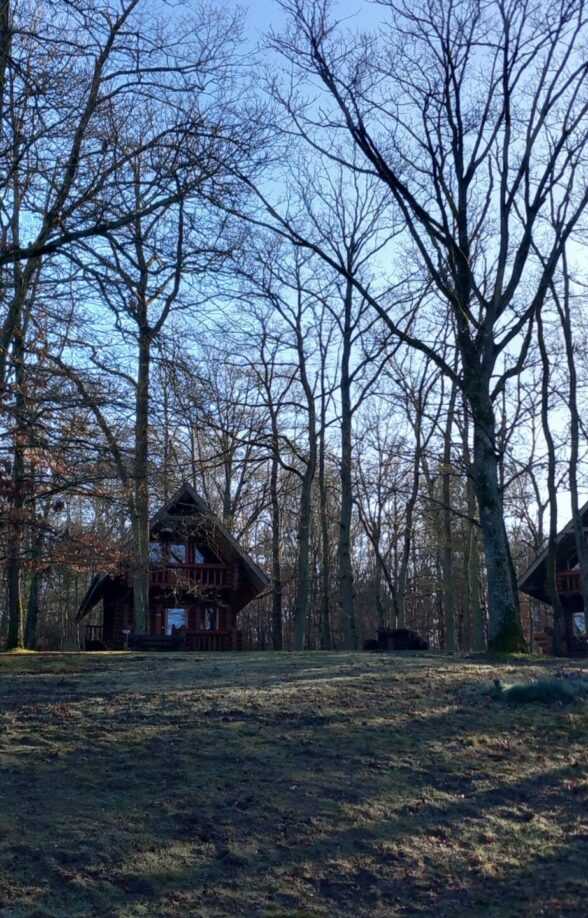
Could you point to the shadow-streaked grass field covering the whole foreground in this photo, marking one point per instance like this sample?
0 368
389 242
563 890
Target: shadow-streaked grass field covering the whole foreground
286 785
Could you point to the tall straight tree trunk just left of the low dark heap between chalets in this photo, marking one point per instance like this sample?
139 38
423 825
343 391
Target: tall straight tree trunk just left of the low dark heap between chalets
345 566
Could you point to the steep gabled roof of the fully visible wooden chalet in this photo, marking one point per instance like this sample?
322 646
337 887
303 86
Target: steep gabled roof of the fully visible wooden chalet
186 505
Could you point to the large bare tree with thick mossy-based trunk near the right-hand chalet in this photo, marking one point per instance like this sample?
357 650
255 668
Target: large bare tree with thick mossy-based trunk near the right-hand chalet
470 115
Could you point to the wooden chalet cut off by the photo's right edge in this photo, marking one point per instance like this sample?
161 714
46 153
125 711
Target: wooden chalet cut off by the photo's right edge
533 583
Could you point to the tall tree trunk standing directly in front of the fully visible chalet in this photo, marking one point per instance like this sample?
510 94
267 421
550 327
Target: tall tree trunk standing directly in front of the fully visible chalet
141 488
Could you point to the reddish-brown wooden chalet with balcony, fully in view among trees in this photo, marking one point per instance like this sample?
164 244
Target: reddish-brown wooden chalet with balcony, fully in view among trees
200 579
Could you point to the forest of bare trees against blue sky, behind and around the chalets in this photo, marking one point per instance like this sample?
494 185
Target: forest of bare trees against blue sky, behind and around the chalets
336 283
